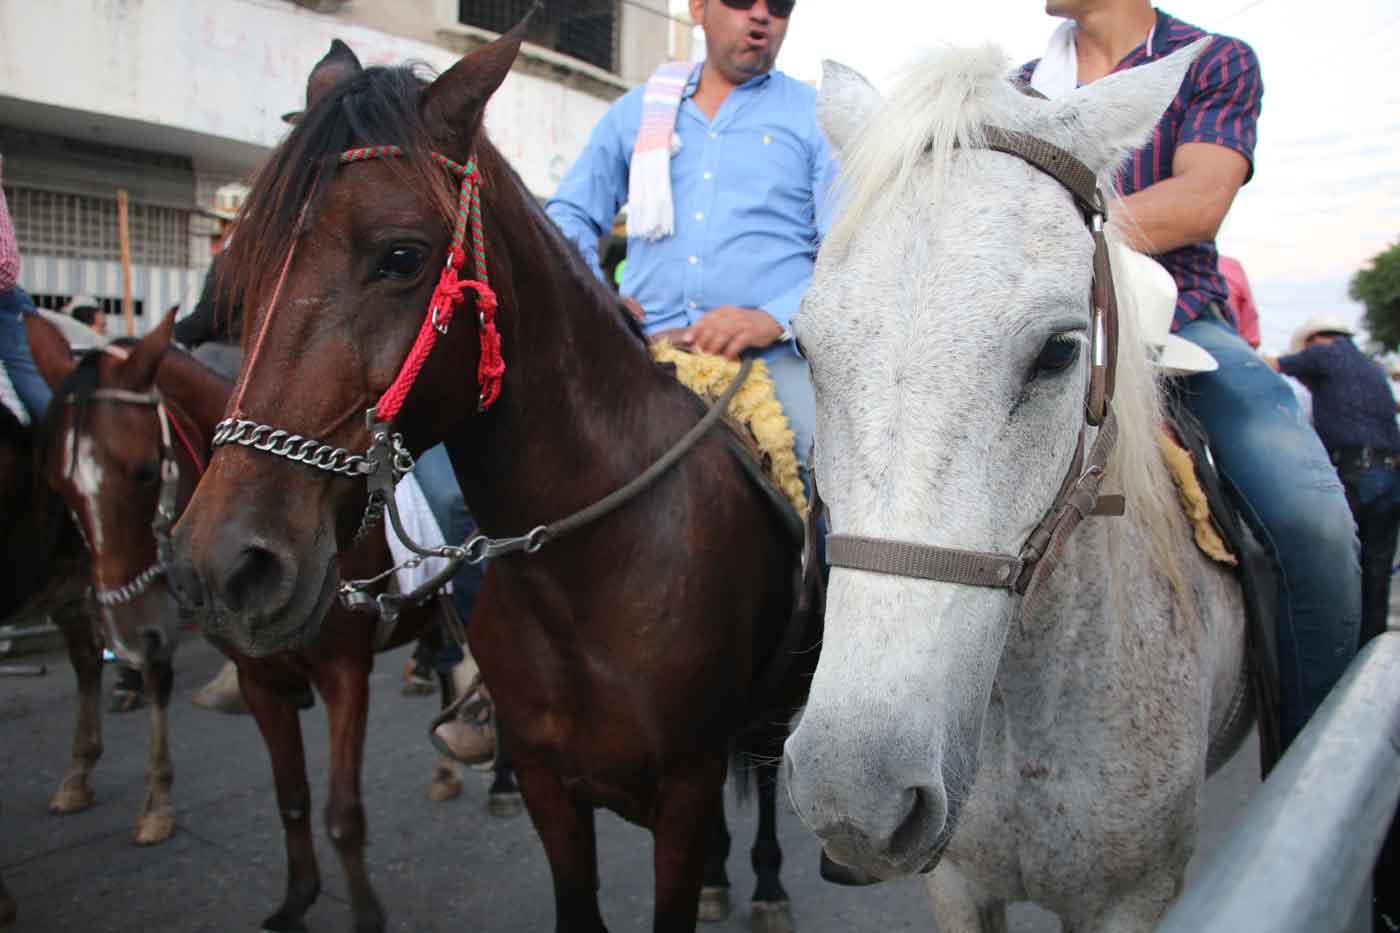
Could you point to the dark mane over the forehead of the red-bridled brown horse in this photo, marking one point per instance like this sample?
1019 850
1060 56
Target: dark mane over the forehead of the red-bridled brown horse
377 107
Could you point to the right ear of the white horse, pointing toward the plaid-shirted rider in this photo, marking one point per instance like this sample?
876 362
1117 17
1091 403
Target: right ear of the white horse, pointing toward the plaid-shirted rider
1115 117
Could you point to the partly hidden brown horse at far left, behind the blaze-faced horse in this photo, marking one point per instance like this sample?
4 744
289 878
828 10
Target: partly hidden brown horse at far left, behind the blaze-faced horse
48 568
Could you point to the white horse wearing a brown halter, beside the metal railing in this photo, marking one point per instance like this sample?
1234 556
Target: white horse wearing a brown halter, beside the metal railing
1058 756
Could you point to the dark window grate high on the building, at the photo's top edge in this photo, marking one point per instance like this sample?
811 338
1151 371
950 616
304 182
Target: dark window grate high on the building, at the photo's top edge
586 30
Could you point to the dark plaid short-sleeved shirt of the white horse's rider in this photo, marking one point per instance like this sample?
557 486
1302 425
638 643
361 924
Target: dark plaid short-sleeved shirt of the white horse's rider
1219 103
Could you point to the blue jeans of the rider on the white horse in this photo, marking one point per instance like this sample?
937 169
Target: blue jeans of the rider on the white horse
1290 495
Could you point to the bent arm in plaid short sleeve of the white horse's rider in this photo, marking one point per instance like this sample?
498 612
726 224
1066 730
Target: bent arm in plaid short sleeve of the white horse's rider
1213 160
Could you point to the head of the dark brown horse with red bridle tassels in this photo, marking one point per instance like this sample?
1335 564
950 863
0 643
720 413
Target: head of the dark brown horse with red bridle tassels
342 260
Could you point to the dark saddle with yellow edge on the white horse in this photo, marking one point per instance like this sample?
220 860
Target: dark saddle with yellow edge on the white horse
1226 537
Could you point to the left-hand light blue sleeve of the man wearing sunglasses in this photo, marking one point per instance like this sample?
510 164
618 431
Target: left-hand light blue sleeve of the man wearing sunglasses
596 187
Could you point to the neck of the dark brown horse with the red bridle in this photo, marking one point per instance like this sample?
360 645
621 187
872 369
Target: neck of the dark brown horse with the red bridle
582 399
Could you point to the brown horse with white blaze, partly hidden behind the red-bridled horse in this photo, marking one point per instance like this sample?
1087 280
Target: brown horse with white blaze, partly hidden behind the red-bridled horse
108 413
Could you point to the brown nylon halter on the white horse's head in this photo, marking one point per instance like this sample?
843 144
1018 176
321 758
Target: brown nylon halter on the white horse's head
1079 495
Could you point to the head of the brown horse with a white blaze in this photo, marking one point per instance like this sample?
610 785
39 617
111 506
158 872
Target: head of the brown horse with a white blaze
103 453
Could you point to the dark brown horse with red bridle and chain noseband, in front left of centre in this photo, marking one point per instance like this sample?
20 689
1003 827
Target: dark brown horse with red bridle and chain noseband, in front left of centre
628 659
